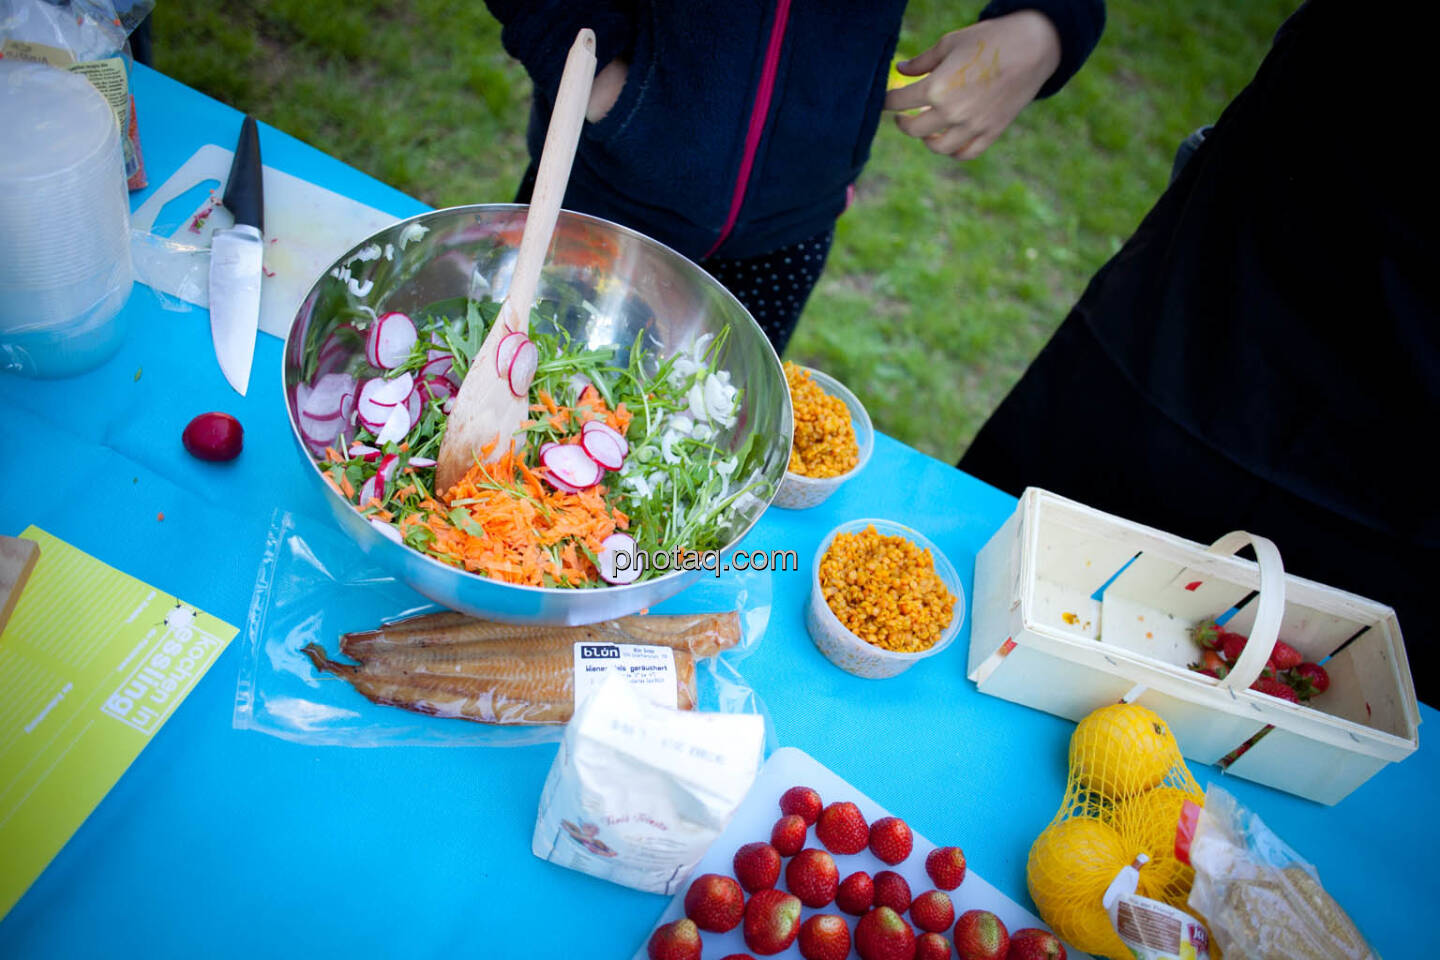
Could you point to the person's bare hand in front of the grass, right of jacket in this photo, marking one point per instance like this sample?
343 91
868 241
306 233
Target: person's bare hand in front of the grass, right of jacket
980 78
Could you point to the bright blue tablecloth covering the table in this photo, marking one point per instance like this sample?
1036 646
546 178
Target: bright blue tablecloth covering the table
230 844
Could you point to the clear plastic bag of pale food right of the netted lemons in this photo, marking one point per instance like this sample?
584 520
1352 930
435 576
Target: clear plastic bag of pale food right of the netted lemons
1261 900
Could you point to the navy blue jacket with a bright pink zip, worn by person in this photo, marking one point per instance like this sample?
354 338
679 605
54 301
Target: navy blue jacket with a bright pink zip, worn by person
669 158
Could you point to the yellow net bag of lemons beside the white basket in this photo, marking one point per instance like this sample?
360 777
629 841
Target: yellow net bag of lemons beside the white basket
1124 798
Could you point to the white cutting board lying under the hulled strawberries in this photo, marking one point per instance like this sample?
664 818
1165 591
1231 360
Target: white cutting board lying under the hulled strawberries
761 810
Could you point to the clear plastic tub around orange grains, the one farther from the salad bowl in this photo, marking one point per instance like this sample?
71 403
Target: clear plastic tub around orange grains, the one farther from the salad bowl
850 653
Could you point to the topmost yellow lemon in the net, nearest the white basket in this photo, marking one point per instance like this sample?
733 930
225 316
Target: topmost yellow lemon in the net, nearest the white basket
1122 751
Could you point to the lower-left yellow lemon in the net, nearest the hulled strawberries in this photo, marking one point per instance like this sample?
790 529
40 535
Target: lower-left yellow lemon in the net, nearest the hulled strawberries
1071 866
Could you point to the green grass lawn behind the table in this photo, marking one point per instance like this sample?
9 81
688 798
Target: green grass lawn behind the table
945 279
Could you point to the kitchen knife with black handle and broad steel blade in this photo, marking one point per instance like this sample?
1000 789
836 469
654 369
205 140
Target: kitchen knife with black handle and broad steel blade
237 263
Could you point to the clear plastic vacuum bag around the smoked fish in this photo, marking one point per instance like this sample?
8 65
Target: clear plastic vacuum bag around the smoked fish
316 588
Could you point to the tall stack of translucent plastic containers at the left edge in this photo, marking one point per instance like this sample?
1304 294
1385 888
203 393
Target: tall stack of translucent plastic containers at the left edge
66 268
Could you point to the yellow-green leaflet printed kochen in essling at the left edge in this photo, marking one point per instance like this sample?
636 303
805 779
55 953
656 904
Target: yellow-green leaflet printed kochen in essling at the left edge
91 666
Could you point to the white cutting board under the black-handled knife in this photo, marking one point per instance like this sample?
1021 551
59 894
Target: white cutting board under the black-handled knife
306 230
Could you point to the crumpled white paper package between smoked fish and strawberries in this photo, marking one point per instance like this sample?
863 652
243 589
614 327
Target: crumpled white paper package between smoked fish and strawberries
639 791
